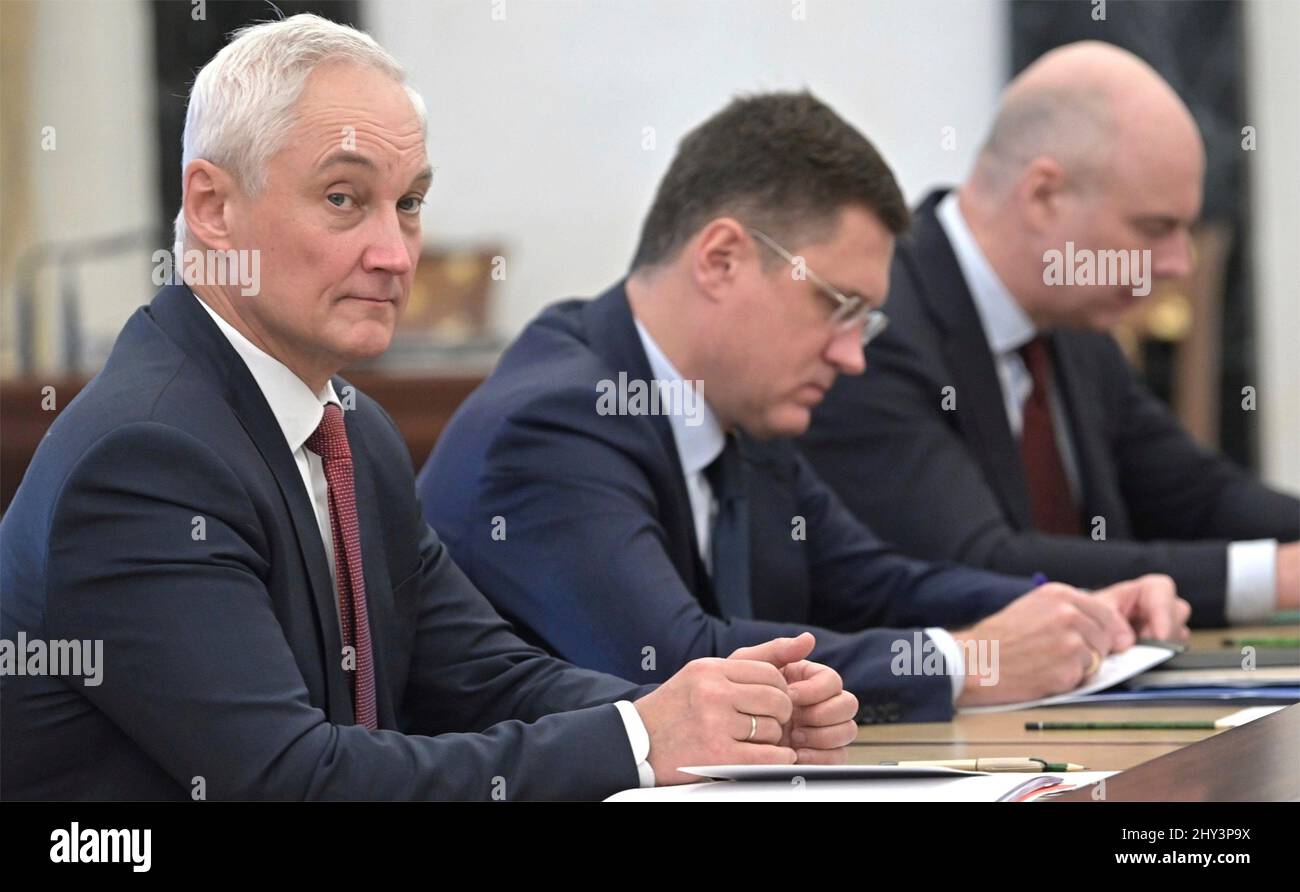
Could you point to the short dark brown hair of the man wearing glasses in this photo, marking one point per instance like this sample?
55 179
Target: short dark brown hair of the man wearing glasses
781 162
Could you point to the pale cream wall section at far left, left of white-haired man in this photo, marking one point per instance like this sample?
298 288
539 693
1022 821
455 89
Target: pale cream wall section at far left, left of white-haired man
93 83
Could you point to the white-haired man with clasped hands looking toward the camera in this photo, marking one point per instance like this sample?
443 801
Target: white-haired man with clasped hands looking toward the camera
239 526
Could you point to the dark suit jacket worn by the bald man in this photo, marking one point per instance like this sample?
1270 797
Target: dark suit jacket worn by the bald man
951 486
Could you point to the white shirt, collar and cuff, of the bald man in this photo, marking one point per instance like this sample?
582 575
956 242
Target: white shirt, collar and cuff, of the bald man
1251 566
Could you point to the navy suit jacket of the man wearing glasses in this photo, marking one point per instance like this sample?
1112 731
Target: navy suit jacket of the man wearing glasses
579 529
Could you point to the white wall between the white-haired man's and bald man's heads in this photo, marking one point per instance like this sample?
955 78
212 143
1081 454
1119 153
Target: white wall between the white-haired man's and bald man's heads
536 120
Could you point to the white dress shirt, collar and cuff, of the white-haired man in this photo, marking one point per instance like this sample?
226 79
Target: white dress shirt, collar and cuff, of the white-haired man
300 413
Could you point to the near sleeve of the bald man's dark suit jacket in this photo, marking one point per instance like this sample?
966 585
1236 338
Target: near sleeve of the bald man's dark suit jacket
885 445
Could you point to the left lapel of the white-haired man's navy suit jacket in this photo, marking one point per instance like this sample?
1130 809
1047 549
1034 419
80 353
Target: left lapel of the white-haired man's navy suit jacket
177 311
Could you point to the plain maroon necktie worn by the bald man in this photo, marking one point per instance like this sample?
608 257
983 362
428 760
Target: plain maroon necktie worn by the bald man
1054 506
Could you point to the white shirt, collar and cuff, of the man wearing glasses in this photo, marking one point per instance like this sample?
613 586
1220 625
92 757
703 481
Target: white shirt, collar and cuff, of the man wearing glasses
697 448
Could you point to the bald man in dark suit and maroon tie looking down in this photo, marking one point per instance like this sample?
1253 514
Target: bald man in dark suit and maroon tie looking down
999 423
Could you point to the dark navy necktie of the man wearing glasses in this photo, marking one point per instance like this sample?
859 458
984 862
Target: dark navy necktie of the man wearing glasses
730 540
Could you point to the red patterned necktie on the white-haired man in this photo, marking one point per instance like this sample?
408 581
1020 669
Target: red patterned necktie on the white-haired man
330 441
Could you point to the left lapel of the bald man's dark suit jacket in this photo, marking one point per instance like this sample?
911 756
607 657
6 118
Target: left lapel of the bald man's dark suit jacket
981 409
